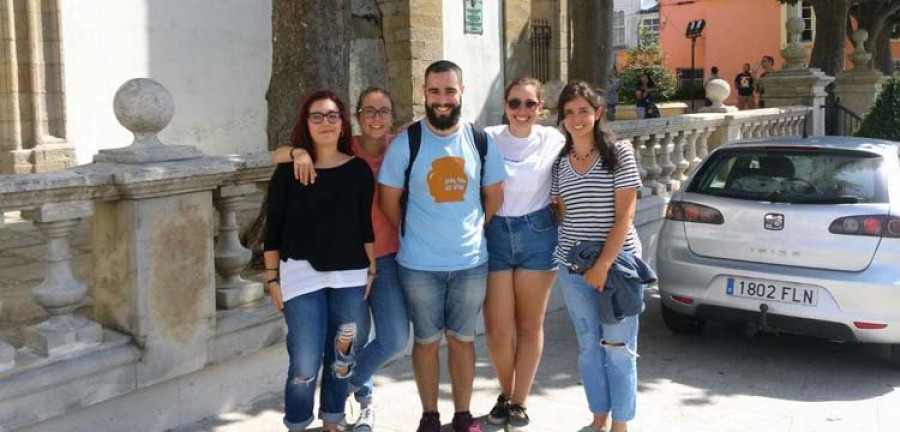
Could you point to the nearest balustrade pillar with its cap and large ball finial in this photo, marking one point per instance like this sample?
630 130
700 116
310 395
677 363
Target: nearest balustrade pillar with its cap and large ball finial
153 248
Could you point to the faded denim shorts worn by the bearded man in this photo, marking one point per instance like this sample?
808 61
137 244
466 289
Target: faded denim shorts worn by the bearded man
439 301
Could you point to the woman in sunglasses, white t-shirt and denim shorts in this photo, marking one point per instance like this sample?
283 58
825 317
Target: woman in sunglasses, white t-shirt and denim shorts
521 240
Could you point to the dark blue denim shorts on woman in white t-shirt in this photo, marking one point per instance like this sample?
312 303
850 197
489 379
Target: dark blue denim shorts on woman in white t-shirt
522 242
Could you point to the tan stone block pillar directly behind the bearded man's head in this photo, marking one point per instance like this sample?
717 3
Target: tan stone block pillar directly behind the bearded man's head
414 38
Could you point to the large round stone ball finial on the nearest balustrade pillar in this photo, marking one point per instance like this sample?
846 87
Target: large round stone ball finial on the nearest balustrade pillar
144 107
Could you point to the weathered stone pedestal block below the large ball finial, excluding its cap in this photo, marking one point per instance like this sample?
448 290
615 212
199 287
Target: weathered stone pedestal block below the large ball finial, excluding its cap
154 279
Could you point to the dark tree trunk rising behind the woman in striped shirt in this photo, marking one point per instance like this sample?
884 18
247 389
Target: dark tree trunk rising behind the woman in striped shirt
592 37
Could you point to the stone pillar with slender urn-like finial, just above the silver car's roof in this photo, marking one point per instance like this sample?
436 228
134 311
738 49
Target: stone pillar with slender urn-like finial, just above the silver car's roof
797 84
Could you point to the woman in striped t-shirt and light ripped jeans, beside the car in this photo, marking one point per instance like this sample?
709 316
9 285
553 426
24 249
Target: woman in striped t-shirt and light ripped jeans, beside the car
595 182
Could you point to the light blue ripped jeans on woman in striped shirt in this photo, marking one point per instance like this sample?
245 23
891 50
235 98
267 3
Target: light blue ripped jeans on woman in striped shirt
607 354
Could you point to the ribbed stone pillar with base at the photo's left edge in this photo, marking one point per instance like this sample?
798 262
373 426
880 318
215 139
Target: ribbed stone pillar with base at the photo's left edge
32 100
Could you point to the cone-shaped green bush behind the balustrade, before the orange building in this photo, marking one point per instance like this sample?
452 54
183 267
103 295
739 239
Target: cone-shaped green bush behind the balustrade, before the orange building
646 57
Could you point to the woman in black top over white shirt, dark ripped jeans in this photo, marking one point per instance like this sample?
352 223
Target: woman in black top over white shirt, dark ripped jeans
320 260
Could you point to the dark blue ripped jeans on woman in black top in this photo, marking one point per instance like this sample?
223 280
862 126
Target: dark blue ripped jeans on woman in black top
315 320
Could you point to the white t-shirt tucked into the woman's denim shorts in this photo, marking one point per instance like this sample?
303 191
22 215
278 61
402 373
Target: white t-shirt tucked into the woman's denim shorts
527 162
